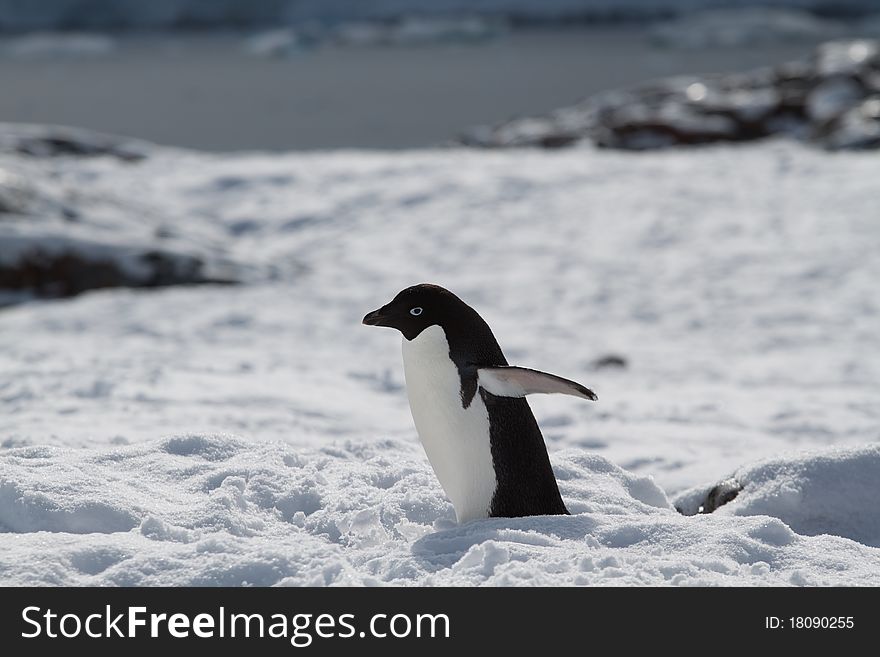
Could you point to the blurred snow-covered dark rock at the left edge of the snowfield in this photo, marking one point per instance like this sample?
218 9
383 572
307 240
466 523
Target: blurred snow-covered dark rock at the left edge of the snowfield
60 236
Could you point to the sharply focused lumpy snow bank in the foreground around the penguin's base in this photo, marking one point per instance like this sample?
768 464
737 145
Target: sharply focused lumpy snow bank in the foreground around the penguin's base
217 510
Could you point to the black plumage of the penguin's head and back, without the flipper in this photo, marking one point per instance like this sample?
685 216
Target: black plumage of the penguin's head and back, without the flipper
526 484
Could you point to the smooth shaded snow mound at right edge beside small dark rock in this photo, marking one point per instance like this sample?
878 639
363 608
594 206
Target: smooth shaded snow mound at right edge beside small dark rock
821 492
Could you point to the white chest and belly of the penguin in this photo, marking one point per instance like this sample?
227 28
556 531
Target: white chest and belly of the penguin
456 439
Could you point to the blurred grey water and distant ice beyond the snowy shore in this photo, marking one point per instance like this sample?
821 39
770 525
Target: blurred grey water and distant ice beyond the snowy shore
314 74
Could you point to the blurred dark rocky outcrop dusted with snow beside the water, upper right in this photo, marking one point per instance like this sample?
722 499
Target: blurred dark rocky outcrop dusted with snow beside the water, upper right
827 99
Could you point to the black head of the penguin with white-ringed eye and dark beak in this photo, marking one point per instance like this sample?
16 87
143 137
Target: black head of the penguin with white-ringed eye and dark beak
416 308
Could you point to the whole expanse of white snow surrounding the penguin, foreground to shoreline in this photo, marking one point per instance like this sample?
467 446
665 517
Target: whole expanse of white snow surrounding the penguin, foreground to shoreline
258 434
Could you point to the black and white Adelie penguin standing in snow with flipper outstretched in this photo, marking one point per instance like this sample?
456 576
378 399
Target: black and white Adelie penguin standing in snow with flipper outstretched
469 409
